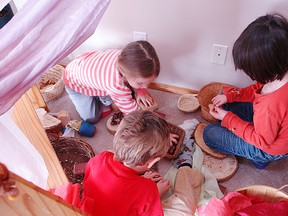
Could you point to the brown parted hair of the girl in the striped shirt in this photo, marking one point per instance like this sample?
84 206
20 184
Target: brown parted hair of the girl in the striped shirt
139 59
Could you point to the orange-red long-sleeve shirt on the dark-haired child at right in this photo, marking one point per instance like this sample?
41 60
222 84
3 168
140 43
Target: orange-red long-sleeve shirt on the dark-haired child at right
269 130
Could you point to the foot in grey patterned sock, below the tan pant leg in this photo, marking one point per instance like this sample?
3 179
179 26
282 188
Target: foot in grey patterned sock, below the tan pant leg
186 157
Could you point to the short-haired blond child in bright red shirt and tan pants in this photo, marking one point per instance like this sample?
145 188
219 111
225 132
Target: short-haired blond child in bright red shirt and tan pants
117 183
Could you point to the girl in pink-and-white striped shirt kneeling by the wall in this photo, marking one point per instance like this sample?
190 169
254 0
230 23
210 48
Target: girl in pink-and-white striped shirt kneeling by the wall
99 78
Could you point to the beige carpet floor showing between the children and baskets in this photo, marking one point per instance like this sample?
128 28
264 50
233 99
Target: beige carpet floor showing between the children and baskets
274 175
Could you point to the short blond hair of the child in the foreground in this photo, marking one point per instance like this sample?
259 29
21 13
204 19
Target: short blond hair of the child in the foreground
141 135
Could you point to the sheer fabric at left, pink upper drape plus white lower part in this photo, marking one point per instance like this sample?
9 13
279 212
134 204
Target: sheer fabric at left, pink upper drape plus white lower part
38 36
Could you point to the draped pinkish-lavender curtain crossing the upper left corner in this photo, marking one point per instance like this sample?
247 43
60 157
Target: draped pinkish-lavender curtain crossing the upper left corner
39 36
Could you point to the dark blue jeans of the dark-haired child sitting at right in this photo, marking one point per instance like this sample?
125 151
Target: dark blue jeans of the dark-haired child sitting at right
223 140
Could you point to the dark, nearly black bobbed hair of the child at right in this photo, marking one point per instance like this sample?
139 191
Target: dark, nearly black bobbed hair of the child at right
261 50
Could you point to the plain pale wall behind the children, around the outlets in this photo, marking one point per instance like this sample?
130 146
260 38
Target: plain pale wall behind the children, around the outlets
183 32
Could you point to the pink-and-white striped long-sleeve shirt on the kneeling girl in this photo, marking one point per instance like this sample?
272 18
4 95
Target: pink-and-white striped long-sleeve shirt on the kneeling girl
96 74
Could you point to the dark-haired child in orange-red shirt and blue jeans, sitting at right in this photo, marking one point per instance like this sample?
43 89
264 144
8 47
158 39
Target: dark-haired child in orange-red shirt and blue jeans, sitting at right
254 120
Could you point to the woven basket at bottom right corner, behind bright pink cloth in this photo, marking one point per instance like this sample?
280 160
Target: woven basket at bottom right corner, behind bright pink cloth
265 193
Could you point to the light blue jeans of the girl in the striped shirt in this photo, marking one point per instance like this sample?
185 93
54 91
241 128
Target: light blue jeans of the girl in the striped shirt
88 107
